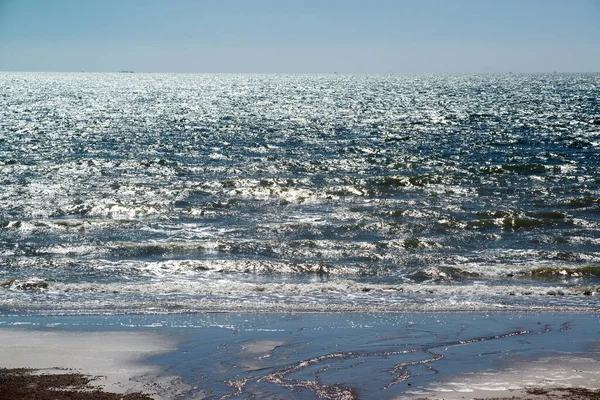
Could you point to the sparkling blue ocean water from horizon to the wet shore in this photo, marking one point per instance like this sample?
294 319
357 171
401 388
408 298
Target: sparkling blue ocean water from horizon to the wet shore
164 193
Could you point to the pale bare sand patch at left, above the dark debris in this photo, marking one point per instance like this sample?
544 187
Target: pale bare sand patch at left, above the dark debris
115 359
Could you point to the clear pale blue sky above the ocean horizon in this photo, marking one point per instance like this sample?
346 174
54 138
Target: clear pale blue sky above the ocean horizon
354 36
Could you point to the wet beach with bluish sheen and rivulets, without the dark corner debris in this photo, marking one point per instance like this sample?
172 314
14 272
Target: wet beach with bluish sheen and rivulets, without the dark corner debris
315 355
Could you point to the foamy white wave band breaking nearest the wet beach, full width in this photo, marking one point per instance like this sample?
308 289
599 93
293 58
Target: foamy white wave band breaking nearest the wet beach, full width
335 295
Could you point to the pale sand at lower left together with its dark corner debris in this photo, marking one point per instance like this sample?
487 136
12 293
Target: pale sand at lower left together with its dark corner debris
98 363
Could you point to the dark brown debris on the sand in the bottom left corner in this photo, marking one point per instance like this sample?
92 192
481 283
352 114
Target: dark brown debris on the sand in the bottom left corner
29 384
